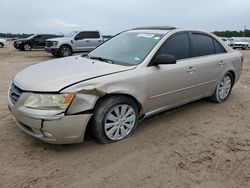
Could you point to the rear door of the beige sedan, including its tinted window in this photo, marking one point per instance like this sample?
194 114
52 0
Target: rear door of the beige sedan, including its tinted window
208 59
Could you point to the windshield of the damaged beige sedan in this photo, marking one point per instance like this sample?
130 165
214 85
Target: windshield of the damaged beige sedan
129 48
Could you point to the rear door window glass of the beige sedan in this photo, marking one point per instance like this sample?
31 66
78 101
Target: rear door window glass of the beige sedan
202 45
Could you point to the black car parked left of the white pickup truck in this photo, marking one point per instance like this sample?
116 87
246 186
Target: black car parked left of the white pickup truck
34 41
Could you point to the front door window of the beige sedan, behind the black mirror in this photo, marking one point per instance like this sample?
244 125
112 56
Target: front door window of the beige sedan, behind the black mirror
177 45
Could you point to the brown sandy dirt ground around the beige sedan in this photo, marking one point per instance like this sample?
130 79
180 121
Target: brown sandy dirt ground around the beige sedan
201 144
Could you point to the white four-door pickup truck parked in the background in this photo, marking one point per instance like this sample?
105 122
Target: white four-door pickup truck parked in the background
76 41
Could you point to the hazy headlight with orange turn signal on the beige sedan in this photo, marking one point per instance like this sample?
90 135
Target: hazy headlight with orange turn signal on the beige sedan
49 101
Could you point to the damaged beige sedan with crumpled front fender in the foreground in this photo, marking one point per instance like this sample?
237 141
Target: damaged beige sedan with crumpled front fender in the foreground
134 75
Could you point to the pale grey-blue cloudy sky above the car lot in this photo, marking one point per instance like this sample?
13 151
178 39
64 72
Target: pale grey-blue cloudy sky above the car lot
113 16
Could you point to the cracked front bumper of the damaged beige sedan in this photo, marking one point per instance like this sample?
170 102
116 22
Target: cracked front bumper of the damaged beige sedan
54 129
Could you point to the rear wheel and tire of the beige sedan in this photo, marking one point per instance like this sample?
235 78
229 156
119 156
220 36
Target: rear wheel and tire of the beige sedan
222 91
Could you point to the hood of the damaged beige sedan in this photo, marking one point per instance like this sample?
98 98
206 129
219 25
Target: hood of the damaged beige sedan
52 76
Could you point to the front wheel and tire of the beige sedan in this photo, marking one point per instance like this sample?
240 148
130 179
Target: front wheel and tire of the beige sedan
107 126
